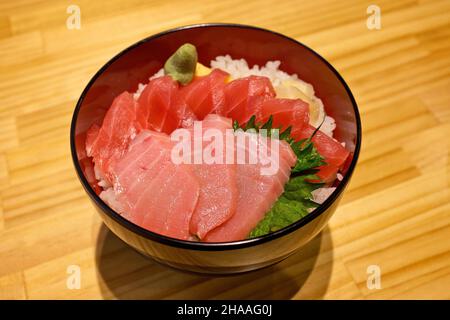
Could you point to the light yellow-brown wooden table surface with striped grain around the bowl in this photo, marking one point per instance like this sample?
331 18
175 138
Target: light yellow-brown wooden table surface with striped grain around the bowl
395 214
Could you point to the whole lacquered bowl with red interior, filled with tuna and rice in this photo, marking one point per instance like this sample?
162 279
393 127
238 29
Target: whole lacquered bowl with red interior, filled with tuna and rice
216 148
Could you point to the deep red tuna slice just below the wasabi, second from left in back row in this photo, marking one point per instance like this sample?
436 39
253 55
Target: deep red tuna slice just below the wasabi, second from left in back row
160 106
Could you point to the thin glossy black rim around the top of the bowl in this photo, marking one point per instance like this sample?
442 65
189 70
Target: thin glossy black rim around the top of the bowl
213 246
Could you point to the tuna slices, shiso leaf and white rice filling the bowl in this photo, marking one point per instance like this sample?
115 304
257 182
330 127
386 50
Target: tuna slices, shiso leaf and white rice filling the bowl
212 203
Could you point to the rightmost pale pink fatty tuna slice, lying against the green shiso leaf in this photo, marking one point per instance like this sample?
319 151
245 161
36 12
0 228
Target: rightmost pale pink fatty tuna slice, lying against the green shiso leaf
257 193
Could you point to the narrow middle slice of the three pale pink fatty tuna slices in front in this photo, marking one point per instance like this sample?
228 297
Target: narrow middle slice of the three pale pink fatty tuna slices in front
218 189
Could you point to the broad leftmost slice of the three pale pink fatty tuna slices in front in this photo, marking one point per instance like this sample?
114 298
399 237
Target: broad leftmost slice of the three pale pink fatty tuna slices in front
151 190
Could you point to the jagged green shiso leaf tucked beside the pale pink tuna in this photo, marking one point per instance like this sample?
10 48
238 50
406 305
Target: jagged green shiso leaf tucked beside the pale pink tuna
296 200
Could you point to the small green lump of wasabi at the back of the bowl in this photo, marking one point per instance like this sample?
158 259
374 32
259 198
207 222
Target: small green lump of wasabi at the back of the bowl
181 65
